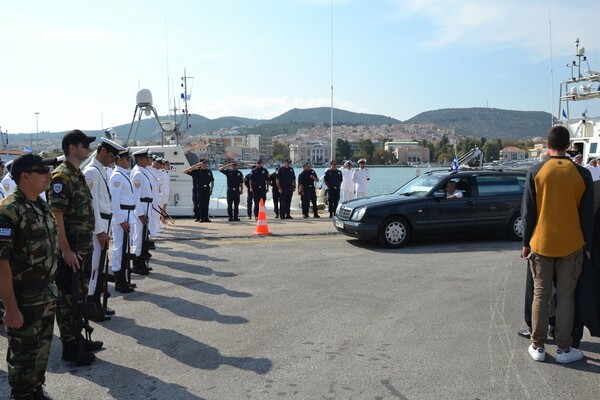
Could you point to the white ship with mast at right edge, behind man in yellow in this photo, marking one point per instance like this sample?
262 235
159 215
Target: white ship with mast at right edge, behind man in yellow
579 113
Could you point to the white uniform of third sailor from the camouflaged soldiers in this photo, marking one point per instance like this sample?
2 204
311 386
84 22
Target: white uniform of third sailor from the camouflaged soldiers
142 190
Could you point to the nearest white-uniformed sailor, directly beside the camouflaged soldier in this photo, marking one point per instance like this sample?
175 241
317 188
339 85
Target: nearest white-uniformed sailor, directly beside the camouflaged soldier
97 181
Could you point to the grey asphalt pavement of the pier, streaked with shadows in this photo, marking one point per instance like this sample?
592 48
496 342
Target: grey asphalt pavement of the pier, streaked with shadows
306 313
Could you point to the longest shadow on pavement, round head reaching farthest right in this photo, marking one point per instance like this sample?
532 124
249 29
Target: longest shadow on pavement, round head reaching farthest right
186 350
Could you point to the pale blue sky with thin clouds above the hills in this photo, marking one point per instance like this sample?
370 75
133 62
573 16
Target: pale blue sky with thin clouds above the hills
79 64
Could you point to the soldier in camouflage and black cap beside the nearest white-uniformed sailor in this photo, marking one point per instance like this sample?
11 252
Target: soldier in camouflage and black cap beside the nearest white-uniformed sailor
71 203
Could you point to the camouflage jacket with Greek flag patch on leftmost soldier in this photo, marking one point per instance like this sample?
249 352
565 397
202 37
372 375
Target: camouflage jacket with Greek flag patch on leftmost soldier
28 240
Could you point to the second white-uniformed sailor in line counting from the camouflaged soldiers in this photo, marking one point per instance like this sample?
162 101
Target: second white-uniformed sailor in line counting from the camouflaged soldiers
123 206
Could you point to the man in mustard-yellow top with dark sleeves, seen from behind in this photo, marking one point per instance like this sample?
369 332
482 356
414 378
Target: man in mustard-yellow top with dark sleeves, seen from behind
557 212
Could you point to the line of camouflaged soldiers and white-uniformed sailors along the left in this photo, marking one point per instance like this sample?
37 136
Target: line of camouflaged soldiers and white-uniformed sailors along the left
54 260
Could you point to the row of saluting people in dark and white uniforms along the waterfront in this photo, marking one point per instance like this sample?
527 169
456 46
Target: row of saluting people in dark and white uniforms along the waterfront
283 183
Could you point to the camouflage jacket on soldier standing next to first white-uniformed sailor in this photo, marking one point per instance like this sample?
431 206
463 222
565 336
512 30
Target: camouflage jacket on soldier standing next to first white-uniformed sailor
70 194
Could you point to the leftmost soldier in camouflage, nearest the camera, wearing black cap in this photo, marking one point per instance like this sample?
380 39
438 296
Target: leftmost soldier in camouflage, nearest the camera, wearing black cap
27 268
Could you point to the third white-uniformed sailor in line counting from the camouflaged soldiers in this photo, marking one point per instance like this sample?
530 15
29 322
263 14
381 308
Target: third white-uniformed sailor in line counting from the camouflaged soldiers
142 190
